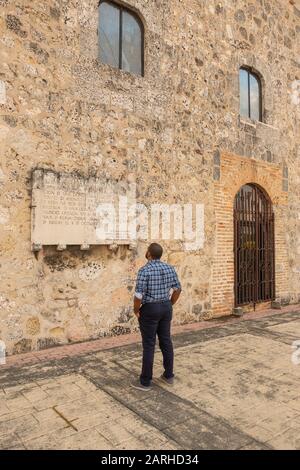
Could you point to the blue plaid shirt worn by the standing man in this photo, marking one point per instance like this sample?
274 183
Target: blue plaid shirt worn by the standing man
155 280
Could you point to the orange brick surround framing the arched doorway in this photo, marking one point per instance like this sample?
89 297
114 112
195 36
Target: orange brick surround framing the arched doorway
236 171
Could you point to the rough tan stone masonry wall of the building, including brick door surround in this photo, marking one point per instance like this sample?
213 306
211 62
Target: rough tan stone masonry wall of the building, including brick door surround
177 130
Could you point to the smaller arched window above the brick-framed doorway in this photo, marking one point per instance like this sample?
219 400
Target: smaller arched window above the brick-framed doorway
250 95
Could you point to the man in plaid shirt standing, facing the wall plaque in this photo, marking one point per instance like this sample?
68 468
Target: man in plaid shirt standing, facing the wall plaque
153 306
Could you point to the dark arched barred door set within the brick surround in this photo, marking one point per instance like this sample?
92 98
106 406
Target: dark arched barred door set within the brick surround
254 256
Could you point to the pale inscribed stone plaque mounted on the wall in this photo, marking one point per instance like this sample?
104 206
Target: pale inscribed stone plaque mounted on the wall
69 209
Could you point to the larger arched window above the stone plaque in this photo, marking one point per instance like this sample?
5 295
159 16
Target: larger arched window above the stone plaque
121 38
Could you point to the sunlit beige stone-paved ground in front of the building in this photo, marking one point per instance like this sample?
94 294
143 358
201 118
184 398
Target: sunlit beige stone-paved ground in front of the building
236 388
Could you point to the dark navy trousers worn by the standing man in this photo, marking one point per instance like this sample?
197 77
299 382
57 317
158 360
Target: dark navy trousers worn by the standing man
155 319
